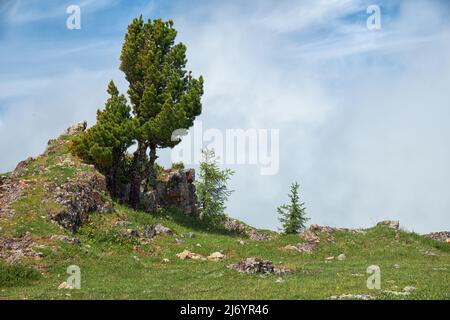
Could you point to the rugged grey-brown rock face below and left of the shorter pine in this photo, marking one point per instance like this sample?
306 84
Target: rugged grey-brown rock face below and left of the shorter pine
84 193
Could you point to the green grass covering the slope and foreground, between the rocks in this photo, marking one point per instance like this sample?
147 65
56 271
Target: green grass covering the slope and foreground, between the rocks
113 267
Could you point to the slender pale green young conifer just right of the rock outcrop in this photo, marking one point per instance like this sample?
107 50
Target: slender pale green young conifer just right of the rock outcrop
212 190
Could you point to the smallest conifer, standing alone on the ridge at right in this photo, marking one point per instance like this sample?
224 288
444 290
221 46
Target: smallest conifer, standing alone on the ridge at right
293 215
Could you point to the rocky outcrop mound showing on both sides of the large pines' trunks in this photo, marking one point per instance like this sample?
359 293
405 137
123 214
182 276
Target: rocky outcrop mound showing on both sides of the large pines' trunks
68 190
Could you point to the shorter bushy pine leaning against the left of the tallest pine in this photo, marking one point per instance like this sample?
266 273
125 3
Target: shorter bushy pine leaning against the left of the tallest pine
105 143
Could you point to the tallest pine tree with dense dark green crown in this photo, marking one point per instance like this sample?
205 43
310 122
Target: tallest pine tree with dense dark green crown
164 96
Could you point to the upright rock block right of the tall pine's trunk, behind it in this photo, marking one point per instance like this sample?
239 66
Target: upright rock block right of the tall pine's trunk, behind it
176 190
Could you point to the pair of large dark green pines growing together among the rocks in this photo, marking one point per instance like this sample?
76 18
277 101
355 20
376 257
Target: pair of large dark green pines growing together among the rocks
164 97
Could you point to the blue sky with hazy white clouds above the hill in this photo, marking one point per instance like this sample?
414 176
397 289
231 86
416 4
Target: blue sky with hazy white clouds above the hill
363 115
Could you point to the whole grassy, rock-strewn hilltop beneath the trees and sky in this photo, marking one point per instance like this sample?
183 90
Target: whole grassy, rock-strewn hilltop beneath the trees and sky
55 211
